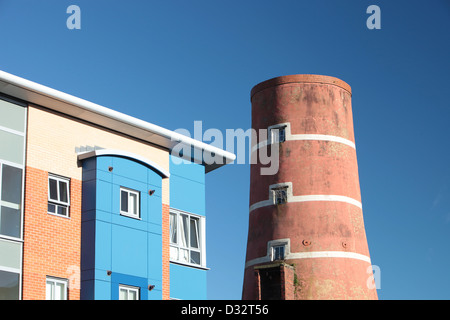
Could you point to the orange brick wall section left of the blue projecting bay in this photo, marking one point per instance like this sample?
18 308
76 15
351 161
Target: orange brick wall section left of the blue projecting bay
51 243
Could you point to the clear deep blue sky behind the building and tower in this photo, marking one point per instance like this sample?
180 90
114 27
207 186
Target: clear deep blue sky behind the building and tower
174 62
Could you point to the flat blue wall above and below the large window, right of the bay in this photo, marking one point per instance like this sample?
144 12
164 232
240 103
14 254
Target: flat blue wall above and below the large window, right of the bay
187 193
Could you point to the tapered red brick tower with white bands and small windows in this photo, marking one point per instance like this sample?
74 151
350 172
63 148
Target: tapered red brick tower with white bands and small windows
306 237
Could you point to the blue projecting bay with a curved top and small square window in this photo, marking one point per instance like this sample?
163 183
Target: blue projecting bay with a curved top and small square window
130 248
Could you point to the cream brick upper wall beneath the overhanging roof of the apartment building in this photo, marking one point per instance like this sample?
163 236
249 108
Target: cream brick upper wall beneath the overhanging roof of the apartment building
53 139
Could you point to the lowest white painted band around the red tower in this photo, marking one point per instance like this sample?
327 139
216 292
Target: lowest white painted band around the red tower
312 254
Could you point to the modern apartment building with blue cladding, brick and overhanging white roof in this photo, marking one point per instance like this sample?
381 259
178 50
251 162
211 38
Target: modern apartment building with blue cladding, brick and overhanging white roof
95 204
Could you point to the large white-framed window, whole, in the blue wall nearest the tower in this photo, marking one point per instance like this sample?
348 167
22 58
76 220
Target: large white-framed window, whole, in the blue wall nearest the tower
186 238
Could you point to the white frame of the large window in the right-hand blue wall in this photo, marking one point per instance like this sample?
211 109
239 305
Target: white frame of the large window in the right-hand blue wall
177 247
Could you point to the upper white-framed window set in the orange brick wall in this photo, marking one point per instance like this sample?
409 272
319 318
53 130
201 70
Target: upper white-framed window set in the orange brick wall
58 195
